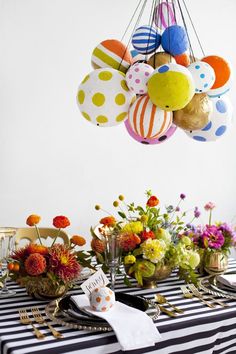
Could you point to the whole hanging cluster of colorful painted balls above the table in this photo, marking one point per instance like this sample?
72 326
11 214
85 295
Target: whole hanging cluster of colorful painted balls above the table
153 92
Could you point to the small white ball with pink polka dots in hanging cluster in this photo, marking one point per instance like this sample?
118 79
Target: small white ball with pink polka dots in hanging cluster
137 77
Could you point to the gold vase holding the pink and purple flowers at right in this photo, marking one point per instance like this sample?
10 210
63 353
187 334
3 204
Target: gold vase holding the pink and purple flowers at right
215 263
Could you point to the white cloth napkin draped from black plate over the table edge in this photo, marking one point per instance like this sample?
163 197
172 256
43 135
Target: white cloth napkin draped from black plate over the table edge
134 329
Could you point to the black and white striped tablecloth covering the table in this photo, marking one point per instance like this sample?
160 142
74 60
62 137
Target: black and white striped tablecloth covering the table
199 330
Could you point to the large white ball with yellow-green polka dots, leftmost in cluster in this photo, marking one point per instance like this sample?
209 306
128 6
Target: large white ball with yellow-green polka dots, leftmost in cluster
104 98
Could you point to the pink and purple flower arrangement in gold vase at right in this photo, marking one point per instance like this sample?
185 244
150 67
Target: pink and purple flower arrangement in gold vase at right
213 242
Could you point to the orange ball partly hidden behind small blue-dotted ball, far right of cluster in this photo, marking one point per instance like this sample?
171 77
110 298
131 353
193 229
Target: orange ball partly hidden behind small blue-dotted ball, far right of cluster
221 68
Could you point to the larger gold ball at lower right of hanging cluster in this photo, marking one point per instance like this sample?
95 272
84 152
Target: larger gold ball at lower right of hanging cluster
196 114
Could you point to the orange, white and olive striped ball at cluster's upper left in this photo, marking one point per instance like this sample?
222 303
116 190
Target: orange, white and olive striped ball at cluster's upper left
113 54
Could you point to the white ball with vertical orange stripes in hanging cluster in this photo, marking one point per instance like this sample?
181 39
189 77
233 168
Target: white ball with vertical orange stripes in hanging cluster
147 120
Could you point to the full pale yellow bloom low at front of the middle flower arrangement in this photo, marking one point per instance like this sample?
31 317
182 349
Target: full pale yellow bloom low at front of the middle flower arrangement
153 250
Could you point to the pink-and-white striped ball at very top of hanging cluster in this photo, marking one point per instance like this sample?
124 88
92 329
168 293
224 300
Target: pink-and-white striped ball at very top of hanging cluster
164 15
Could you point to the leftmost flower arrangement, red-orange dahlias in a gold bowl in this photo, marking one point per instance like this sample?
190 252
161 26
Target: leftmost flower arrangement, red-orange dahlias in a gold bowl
46 271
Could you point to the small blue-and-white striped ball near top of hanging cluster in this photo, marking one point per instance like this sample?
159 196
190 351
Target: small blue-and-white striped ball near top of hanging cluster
146 39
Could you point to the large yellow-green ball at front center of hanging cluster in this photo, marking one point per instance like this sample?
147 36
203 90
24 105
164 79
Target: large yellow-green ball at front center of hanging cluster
171 87
